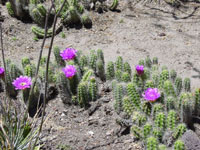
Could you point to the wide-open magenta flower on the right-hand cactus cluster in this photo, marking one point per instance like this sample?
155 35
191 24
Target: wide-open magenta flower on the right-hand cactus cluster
151 94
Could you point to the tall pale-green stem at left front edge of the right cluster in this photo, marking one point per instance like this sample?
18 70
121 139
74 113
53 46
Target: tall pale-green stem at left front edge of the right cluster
119 93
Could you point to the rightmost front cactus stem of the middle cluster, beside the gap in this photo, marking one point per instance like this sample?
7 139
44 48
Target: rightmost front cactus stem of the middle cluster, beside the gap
100 69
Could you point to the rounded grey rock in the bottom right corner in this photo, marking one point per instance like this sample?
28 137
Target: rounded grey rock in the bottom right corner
191 140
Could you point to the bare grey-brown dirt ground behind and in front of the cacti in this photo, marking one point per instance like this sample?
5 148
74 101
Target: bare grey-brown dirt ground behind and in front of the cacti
137 31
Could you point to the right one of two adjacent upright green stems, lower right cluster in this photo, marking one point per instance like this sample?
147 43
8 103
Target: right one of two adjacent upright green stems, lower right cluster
171 119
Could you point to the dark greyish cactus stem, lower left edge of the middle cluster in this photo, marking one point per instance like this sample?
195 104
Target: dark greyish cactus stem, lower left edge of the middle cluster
64 88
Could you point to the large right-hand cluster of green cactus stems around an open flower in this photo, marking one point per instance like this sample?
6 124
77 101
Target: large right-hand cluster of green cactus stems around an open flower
161 122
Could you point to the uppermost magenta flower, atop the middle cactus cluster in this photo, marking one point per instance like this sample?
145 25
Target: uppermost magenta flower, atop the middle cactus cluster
68 54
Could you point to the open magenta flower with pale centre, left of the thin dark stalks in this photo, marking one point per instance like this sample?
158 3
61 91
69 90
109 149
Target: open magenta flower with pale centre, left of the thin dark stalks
22 82
